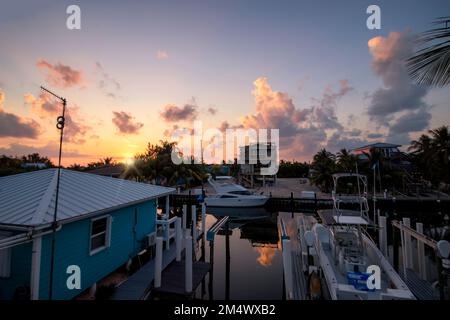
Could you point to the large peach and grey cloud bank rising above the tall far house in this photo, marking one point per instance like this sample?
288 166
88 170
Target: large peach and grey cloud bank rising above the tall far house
303 131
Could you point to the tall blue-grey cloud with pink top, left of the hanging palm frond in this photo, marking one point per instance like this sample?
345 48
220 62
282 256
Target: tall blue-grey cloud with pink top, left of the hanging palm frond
399 99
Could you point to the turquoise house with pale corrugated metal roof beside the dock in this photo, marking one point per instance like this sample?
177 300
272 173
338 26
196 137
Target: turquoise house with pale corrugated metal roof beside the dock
102 223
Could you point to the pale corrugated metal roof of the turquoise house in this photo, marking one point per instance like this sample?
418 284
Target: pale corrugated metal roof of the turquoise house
29 198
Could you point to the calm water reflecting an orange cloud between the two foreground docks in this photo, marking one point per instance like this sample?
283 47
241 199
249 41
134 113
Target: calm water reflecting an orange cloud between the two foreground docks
256 270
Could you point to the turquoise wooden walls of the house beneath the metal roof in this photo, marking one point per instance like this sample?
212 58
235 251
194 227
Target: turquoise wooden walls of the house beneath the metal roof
72 248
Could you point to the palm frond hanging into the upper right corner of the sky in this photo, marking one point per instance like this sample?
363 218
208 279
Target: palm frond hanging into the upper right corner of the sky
431 64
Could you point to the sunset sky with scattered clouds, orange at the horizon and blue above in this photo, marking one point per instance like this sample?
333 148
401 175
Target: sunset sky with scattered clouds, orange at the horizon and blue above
137 70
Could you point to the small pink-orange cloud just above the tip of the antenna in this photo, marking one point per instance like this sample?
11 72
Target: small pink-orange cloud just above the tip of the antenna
61 75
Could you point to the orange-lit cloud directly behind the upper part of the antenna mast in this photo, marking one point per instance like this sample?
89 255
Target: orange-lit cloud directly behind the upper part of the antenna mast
45 106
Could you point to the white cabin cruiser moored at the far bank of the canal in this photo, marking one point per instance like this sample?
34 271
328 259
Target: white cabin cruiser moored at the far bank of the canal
232 195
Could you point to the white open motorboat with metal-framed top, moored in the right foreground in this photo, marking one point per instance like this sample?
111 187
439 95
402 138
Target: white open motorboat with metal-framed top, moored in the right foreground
350 264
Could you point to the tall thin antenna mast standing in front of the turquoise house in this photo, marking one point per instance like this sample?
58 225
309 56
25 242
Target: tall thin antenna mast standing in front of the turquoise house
60 125
